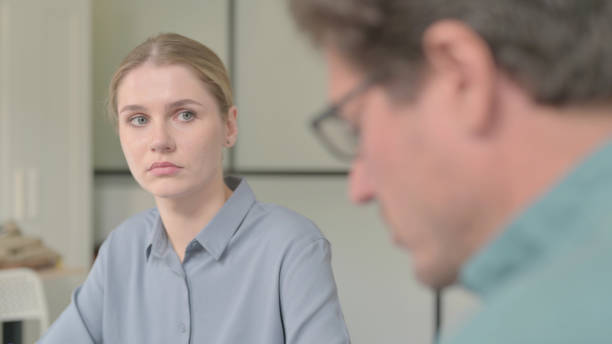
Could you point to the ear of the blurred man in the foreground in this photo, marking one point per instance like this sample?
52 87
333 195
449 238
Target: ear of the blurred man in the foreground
463 60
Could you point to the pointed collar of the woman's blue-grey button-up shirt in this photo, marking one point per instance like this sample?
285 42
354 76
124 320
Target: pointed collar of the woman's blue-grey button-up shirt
216 236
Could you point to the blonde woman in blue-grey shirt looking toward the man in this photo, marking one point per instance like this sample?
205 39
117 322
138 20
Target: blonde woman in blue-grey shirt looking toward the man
209 264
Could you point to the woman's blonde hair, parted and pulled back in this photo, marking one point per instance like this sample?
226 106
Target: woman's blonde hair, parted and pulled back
171 49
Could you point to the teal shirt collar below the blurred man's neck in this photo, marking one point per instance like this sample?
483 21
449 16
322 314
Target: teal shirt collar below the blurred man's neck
576 206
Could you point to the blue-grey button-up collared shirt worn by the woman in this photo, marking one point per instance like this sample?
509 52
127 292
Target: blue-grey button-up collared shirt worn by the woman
257 273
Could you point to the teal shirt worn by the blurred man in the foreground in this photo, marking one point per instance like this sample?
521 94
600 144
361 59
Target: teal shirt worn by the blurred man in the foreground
547 278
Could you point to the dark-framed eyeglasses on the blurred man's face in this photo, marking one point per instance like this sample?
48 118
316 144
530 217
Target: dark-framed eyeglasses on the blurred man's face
337 134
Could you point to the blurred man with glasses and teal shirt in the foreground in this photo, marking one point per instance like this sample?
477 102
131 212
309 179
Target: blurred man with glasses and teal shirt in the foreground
482 128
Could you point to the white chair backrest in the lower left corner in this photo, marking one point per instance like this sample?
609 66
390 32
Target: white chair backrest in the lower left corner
22 297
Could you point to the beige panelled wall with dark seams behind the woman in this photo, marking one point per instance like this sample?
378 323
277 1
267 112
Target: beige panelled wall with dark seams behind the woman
279 83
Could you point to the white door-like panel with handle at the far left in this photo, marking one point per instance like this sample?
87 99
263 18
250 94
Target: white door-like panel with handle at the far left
45 178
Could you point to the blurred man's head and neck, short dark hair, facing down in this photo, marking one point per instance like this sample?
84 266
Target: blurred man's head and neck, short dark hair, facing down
449 137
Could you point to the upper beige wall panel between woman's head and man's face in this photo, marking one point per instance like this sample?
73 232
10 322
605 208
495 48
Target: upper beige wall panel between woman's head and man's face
280 83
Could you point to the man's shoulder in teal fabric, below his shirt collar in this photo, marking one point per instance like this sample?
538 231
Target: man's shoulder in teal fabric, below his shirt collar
566 299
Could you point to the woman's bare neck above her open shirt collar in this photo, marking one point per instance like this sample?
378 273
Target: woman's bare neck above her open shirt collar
184 217
